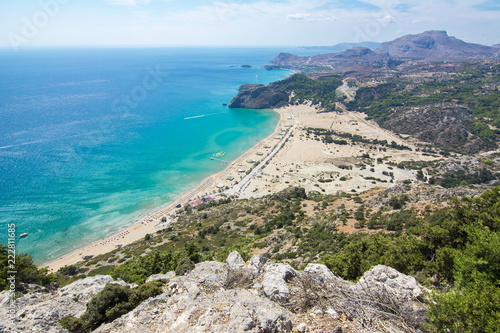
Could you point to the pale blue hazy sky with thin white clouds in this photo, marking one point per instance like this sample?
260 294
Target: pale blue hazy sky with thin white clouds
25 23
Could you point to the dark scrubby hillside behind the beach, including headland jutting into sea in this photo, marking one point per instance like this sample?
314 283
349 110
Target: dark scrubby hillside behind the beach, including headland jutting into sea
453 107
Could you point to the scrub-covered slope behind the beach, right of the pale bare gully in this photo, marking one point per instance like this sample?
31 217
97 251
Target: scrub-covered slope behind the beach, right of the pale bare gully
468 95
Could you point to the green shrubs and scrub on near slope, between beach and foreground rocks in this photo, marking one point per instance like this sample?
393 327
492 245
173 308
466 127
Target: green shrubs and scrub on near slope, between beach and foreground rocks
454 250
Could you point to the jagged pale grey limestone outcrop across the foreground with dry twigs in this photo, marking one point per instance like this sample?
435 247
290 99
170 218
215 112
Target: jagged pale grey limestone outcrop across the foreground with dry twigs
258 296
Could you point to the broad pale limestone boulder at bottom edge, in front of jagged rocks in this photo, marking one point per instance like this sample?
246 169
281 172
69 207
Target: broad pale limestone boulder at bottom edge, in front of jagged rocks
224 311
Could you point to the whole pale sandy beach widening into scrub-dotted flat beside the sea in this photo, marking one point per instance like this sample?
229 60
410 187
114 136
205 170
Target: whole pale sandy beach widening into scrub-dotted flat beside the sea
287 157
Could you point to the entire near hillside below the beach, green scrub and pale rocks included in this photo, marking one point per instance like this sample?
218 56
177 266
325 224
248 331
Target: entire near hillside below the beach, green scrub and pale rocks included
450 250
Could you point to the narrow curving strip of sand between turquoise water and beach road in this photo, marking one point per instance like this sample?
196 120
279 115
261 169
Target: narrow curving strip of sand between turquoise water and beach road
209 187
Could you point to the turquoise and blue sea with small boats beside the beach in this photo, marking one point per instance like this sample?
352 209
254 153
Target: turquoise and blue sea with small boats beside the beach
93 139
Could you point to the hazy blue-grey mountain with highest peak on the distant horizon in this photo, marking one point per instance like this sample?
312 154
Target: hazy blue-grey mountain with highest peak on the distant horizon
435 46
